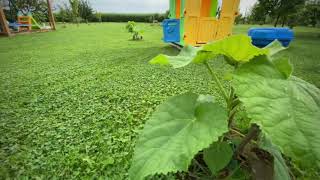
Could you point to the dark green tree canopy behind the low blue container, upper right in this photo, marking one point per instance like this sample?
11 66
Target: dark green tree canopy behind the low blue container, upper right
286 12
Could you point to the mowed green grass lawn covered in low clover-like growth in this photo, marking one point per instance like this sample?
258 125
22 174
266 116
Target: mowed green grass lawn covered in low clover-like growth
72 101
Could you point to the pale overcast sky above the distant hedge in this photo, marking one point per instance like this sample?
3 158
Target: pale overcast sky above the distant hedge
145 6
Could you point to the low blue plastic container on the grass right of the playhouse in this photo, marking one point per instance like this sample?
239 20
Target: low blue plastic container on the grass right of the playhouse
261 37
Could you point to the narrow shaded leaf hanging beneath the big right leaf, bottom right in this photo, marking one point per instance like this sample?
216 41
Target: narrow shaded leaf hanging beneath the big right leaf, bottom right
281 171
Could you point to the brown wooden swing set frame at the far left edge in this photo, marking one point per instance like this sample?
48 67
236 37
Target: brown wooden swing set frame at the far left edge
5 27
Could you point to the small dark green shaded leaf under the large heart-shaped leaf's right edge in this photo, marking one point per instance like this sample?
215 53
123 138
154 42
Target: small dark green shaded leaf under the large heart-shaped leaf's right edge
218 156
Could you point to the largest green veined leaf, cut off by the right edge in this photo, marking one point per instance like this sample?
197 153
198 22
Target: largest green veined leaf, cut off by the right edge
288 110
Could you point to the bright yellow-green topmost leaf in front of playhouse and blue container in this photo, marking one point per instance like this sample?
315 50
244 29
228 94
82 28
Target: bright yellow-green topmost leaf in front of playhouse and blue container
237 48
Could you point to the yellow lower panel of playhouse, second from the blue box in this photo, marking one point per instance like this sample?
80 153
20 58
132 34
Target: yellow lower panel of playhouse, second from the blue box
207 29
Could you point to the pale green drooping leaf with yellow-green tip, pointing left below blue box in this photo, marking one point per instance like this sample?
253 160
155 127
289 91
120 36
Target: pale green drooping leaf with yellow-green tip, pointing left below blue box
184 58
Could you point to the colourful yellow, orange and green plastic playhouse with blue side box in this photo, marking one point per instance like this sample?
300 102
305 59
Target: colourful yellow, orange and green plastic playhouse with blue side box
197 22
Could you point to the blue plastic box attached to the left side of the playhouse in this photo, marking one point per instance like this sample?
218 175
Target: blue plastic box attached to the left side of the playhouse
171 30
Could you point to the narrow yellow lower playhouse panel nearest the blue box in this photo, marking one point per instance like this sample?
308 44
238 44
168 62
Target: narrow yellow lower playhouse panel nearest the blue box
191 30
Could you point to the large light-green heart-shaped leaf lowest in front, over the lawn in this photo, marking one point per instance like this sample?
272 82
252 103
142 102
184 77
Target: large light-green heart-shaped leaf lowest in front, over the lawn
178 130
